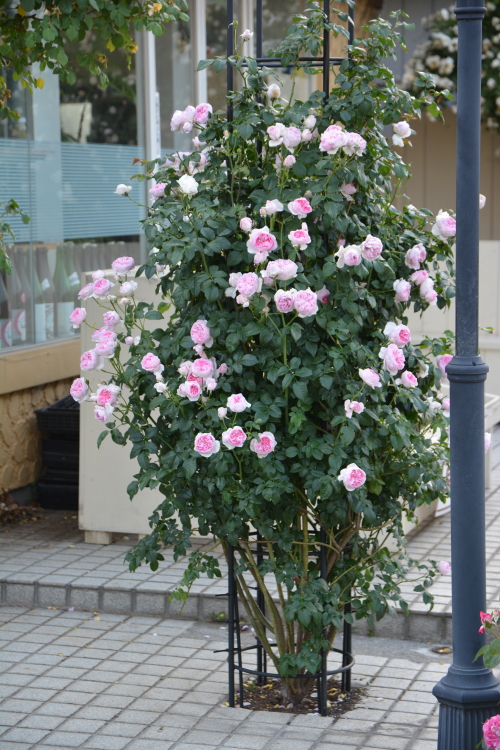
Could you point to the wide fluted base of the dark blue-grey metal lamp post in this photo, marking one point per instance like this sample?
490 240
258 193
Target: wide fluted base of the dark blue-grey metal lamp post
467 698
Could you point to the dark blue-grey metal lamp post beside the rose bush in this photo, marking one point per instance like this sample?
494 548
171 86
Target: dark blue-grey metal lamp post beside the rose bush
469 693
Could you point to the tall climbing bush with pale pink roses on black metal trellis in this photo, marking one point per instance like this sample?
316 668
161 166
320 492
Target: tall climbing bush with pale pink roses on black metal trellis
286 395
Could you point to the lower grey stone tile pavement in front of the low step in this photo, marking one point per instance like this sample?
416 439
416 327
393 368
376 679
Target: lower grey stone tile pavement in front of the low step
114 682
